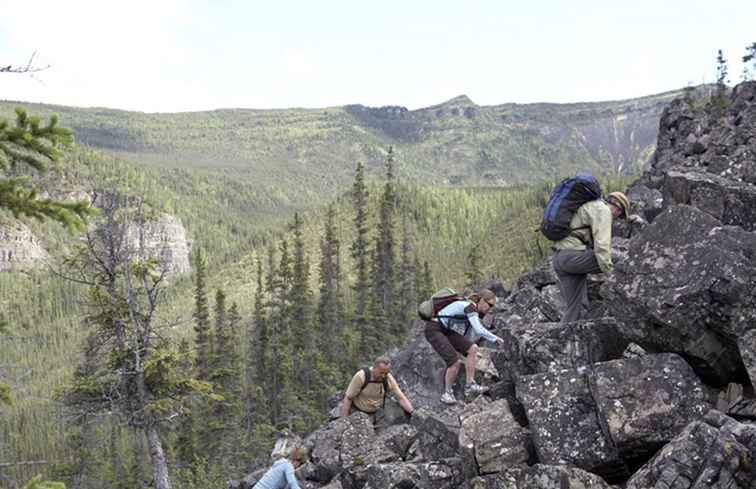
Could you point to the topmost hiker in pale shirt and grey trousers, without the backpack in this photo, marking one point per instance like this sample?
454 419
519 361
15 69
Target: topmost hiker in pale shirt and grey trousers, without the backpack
588 249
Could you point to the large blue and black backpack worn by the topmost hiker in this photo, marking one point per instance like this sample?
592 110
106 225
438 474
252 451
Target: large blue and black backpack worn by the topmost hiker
566 198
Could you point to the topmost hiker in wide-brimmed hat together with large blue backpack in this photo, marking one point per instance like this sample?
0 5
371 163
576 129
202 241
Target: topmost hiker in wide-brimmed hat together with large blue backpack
579 221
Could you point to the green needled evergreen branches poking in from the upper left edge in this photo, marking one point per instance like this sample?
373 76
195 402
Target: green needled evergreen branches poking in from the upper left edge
34 145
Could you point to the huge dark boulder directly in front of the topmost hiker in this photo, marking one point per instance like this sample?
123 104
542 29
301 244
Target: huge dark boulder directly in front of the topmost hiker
688 283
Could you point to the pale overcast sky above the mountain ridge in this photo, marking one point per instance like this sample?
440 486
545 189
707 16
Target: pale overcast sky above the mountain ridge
180 55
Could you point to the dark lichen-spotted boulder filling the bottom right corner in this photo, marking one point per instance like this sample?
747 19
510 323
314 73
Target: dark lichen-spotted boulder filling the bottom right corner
714 453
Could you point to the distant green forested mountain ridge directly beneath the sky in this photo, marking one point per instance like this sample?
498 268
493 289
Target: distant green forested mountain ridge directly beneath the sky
293 158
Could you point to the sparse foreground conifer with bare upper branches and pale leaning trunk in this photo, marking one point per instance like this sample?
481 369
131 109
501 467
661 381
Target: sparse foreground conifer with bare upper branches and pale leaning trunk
136 378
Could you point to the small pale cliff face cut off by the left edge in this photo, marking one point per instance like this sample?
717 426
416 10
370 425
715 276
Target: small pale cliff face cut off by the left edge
19 248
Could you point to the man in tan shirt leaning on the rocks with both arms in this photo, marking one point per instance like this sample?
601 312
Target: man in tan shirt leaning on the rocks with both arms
368 393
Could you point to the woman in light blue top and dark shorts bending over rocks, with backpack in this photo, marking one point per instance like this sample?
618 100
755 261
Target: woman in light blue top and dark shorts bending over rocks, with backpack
453 327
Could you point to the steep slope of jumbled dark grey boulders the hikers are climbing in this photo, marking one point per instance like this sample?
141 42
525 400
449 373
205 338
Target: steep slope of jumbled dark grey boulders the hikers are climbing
654 390
